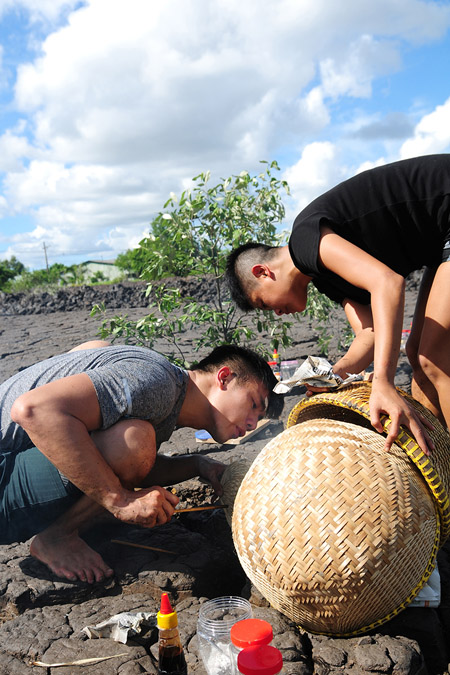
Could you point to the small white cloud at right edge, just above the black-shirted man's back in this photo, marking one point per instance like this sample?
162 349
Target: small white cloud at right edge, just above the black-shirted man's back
431 135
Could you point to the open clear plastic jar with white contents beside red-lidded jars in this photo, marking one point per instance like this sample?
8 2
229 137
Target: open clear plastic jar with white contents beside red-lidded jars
215 619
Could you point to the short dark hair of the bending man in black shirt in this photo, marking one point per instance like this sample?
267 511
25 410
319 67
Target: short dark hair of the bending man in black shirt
238 281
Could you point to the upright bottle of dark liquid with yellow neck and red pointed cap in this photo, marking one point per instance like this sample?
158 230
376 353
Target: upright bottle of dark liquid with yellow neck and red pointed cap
171 659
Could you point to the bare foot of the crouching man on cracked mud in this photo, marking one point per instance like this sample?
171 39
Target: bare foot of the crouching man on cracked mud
70 557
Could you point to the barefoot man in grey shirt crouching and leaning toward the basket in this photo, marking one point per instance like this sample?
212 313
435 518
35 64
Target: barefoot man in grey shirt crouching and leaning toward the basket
80 431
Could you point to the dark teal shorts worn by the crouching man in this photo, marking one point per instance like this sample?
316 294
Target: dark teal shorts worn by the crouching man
32 495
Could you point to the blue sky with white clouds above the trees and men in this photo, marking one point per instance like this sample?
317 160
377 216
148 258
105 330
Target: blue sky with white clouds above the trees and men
107 106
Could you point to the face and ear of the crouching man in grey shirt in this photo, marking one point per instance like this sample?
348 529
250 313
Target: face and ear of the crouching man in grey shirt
237 406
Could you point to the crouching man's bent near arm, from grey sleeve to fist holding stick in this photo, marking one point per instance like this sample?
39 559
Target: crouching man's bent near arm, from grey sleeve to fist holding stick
58 418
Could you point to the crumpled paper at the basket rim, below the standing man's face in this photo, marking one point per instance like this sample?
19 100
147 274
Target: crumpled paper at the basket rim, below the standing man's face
316 372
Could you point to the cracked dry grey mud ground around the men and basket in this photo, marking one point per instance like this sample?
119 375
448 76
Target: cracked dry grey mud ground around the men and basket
41 617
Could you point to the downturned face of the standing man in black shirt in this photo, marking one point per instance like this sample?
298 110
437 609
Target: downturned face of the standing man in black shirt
279 295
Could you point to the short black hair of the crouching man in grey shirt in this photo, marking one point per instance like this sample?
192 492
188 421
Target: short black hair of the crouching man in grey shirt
246 364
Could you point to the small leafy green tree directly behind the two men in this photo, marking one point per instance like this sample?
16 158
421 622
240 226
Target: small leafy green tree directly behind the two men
193 235
